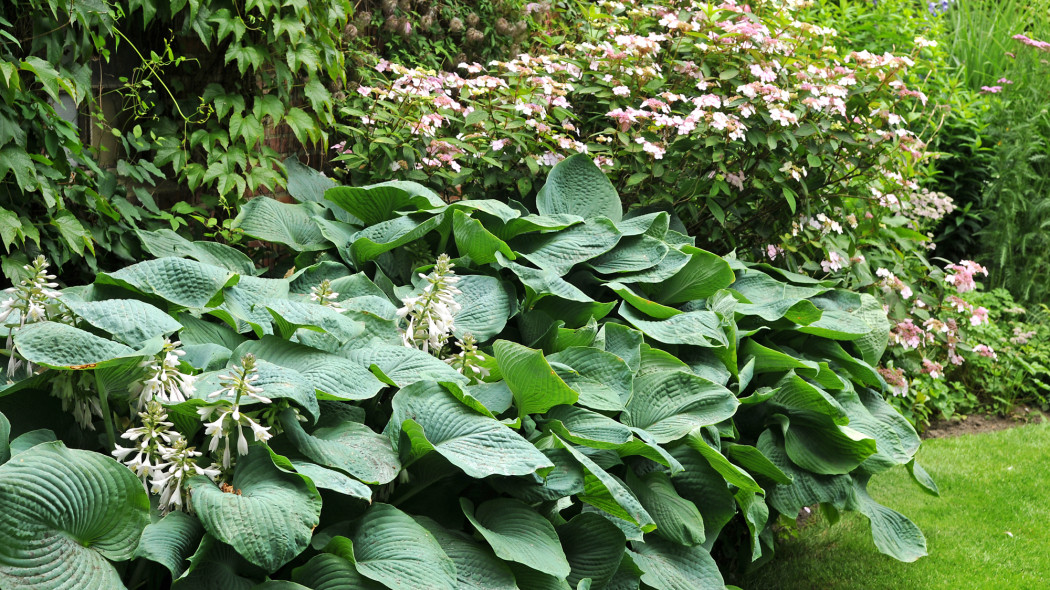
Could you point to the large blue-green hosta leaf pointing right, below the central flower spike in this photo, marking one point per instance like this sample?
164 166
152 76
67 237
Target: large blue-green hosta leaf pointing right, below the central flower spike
434 419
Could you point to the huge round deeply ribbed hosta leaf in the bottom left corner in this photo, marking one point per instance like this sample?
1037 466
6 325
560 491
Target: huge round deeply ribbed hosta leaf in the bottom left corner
66 513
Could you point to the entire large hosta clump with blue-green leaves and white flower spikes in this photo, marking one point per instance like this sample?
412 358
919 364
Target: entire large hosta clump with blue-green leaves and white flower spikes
443 396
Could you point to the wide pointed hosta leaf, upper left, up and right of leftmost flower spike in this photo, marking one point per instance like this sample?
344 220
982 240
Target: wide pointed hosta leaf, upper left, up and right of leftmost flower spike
184 283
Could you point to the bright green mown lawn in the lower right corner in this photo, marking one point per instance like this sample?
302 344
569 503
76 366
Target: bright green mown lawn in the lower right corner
992 484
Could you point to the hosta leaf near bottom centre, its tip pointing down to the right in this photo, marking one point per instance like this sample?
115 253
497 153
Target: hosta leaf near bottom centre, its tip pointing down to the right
518 534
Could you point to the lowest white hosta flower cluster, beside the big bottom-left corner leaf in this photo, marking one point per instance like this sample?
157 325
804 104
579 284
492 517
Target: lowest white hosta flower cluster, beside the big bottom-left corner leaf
161 455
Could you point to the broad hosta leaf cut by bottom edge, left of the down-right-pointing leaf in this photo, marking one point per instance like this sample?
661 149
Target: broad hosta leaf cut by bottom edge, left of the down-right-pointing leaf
390 547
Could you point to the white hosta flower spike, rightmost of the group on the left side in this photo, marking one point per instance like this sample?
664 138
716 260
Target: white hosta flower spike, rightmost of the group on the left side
228 416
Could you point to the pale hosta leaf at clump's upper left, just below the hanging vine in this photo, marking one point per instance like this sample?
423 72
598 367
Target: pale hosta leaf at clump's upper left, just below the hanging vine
282 223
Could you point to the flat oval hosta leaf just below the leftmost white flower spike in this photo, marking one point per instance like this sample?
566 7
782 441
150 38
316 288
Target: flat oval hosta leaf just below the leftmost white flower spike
59 346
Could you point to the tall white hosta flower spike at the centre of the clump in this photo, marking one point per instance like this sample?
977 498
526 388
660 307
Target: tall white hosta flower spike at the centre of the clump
430 318
